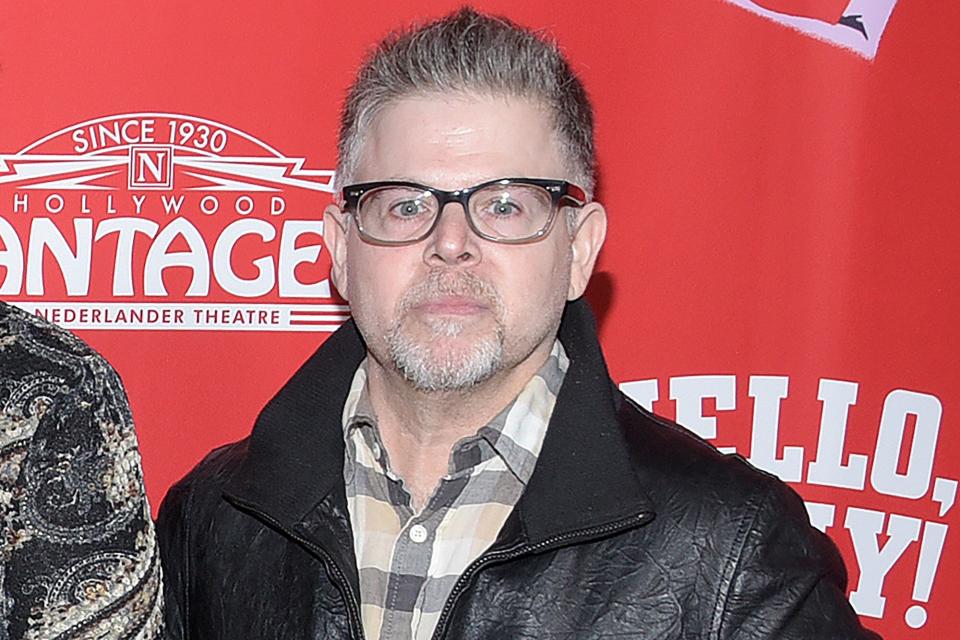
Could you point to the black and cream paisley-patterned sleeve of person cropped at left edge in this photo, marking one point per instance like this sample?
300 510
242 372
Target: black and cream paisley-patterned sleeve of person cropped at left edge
78 556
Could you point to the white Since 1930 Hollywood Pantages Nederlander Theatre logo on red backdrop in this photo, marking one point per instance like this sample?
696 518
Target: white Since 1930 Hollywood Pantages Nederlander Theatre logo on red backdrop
164 221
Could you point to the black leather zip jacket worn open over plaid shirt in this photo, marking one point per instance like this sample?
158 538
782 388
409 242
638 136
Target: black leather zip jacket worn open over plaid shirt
630 527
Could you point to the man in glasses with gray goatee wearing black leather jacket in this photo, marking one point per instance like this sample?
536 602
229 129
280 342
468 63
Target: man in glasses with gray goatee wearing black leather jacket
457 463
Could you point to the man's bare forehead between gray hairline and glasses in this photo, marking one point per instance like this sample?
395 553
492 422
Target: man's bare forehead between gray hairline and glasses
452 141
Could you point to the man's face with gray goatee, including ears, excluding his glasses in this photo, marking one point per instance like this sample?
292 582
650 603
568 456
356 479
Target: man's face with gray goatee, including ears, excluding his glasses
454 309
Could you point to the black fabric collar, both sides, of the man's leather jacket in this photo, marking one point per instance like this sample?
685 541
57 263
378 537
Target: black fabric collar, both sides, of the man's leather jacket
584 477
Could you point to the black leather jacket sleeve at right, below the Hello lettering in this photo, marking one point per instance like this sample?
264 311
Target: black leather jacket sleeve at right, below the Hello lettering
789 582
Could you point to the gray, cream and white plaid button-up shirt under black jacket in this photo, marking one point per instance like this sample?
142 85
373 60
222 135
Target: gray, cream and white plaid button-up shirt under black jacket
410 561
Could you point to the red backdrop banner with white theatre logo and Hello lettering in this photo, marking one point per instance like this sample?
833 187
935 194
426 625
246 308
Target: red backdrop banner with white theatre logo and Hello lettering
781 274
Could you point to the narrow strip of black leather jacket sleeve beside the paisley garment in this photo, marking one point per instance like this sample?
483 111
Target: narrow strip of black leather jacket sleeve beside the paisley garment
173 536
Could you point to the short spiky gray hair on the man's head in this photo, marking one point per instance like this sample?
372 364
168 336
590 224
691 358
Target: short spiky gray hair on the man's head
469 52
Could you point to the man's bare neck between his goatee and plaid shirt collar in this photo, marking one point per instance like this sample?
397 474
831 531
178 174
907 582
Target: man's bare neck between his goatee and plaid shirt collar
419 429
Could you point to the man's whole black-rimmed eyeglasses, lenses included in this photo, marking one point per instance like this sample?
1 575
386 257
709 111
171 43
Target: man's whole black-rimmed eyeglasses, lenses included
508 210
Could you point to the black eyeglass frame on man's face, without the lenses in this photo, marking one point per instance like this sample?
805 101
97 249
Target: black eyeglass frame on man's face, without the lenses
562 193
